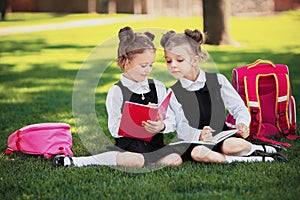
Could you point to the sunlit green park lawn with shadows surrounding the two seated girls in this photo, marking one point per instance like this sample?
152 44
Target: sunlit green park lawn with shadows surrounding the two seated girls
40 58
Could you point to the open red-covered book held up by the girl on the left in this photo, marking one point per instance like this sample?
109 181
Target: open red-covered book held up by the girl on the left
134 114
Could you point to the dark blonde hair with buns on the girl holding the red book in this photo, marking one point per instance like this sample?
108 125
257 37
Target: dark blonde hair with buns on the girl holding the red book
133 43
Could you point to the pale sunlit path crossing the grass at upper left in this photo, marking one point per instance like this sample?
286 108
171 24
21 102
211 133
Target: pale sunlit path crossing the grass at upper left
71 24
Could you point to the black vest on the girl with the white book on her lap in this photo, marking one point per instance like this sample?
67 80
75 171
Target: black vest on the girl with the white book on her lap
204 107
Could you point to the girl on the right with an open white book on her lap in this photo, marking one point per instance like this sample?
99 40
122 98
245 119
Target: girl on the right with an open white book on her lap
199 102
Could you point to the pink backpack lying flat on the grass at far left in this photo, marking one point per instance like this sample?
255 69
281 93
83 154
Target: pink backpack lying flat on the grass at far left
48 139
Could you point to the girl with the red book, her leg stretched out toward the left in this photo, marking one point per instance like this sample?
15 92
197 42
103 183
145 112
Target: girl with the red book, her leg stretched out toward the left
136 54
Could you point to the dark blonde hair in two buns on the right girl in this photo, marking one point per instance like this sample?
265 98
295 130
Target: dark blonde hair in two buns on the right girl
194 39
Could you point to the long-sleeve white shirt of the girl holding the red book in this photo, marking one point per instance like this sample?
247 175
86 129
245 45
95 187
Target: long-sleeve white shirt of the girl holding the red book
114 101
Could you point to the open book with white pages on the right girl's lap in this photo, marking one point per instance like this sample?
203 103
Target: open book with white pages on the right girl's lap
219 137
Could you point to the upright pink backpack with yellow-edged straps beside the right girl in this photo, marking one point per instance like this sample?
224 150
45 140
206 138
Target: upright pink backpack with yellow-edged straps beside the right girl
266 91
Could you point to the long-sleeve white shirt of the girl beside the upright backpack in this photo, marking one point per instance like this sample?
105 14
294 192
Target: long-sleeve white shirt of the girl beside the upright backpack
232 101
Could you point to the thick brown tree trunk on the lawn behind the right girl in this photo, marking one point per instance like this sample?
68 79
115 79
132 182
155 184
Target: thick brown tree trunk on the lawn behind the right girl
216 17
